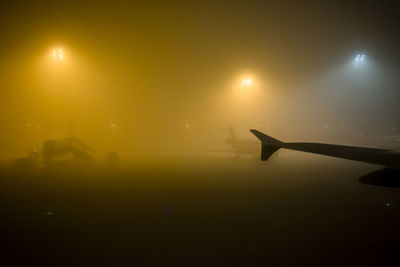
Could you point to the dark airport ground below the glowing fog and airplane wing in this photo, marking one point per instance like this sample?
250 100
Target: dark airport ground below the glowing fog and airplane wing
291 211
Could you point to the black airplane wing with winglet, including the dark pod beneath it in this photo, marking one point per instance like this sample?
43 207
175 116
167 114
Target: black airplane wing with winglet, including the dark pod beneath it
390 176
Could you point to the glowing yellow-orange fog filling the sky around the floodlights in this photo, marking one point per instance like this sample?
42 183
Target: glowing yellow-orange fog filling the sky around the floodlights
165 78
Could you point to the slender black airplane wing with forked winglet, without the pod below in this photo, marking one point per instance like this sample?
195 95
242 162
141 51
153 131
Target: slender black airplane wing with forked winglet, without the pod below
385 157
